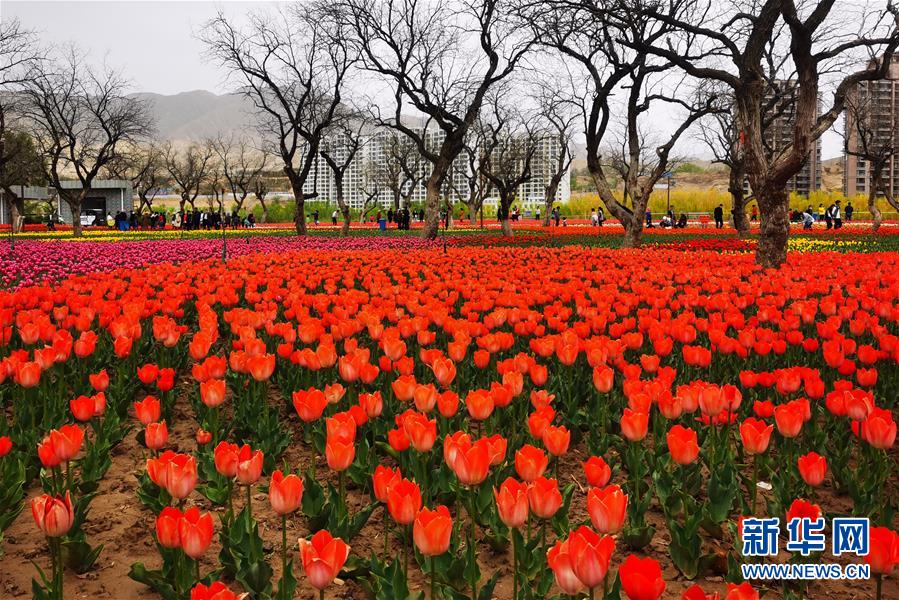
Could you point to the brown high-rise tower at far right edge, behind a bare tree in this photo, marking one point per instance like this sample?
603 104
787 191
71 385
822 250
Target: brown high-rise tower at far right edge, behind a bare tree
878 102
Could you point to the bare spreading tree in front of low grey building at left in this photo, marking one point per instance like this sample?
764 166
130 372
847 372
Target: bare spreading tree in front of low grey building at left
82 118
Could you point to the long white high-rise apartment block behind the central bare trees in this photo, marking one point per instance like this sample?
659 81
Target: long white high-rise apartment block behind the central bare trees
372 159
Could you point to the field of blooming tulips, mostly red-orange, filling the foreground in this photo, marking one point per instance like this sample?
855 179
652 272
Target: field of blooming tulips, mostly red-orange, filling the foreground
390 418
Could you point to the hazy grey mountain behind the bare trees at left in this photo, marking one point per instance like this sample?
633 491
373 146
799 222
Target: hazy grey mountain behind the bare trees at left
198 114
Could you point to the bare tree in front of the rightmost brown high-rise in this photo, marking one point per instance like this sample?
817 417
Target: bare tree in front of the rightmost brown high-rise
873 137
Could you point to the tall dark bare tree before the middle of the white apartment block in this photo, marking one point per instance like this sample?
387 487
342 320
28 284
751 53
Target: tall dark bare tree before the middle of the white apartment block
441 58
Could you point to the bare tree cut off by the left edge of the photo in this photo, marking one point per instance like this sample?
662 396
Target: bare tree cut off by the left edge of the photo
18 54
